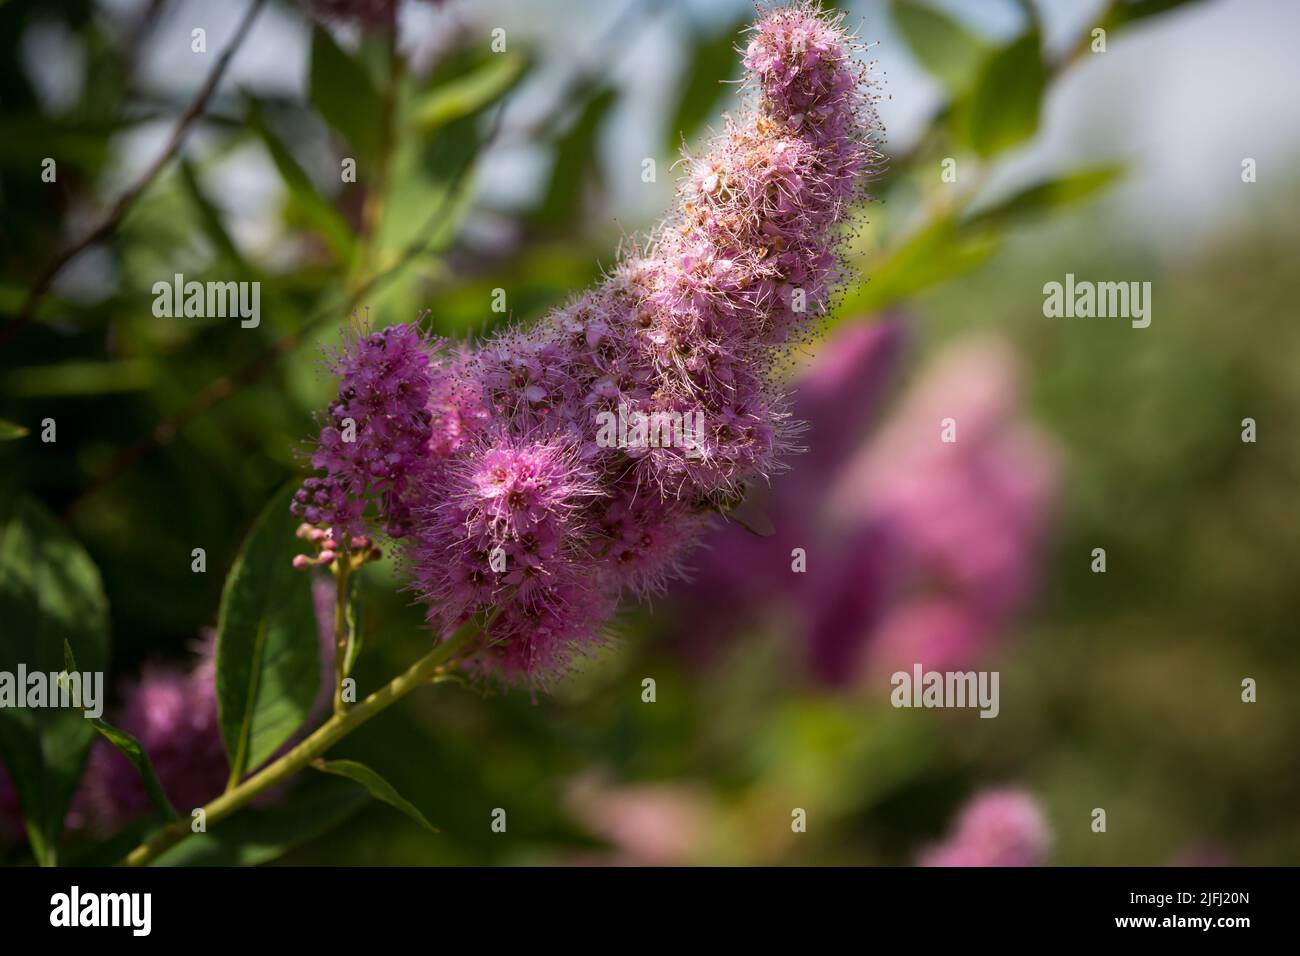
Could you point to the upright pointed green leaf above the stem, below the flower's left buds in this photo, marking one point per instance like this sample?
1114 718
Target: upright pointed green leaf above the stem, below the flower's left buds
268 648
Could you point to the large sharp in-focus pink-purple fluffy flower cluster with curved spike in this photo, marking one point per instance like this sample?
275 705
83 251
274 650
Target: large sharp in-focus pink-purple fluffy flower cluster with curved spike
489 462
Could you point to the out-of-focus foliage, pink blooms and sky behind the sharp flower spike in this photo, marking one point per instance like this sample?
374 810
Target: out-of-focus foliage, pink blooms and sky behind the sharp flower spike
1019 152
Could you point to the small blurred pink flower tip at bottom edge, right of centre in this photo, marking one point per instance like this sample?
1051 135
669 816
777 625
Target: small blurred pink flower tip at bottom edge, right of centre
998 828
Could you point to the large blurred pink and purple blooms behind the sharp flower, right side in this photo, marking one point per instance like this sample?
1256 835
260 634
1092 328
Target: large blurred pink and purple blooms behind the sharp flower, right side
917 550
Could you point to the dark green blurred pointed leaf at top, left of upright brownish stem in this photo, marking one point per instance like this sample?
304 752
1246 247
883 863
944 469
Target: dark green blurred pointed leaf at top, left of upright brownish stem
344 94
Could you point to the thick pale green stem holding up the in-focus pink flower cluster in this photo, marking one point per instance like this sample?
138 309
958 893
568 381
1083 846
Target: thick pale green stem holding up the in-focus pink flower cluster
428 669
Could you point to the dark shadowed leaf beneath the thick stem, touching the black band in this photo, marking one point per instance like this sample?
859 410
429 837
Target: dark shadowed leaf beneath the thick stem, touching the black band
261 834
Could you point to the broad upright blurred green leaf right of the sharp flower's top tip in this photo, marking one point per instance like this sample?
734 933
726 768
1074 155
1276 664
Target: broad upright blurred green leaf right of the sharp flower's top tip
1003 107
